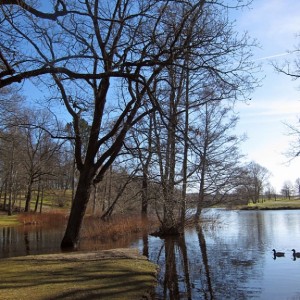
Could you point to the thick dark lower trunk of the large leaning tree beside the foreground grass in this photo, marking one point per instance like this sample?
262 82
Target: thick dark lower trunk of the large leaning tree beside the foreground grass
81 199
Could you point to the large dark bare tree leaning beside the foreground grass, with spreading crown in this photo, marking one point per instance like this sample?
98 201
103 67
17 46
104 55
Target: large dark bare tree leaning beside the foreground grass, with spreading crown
93 46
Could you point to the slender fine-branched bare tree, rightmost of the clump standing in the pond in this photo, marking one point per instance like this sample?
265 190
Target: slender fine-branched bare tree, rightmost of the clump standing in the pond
218 155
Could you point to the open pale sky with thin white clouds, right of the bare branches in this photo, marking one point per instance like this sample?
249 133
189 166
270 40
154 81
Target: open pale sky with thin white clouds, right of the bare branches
275 25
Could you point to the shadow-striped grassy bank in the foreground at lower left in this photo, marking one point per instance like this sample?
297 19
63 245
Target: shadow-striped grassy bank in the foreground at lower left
112 274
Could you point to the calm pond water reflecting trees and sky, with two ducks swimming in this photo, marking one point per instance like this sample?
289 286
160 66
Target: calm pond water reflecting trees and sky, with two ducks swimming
230 258
